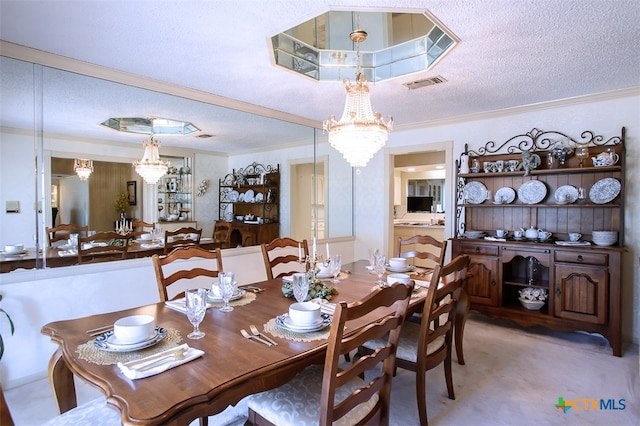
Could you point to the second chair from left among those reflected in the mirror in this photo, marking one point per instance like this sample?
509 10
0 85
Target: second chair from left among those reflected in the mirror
103 246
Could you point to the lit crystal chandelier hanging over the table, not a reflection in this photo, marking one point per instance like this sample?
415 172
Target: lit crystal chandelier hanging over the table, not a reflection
360 133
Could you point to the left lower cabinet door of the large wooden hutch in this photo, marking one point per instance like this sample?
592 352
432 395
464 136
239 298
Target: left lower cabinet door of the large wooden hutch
482 285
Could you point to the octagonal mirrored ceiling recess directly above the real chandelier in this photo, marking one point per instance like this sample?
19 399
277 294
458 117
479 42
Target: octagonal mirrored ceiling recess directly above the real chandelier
397 44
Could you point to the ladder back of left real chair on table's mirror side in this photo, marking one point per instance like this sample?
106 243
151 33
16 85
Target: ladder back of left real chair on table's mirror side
173 278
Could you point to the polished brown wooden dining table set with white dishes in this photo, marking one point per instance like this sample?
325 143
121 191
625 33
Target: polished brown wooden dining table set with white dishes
231 368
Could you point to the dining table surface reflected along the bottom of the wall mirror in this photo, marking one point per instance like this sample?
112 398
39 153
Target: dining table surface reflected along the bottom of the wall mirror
53 257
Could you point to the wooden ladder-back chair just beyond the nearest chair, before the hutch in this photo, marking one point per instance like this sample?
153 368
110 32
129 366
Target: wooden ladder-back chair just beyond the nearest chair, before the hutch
426 345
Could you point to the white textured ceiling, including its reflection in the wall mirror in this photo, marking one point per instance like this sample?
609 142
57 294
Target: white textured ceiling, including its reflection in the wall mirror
511 53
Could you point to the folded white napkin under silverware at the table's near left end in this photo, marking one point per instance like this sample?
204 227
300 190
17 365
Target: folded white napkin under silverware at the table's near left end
158 363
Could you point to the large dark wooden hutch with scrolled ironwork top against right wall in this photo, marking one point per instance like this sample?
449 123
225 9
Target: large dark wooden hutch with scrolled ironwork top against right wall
583 280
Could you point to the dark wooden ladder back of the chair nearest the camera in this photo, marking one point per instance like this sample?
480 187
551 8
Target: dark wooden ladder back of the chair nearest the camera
379 365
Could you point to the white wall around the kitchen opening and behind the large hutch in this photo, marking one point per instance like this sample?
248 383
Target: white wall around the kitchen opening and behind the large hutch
604 115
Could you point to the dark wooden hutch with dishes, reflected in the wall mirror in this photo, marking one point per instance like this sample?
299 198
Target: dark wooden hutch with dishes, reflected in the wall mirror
249 201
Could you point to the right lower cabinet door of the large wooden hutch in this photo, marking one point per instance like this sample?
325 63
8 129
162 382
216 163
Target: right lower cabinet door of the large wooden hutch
581 293
